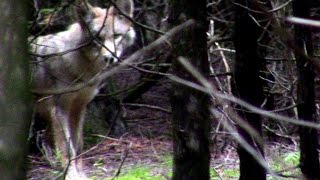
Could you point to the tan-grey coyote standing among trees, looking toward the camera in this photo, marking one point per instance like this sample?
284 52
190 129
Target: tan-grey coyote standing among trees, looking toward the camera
76 55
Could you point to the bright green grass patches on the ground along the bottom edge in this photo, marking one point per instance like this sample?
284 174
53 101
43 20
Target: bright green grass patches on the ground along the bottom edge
151 172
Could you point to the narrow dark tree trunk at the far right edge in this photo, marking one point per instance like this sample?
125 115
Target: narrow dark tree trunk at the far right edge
309 160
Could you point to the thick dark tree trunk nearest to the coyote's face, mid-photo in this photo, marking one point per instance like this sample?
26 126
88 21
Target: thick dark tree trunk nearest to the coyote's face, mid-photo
191 123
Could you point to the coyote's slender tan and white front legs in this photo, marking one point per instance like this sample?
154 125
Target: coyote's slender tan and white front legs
68 142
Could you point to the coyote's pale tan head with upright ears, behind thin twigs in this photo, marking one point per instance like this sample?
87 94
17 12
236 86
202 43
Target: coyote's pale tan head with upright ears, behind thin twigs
111 28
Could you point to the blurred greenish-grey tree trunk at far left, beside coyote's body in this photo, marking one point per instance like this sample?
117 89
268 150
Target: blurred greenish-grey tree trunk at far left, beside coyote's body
15 114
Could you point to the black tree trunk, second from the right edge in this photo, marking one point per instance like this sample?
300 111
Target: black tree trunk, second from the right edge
247 84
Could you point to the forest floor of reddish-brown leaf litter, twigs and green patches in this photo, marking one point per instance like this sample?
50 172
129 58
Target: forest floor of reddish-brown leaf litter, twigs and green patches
145 150
